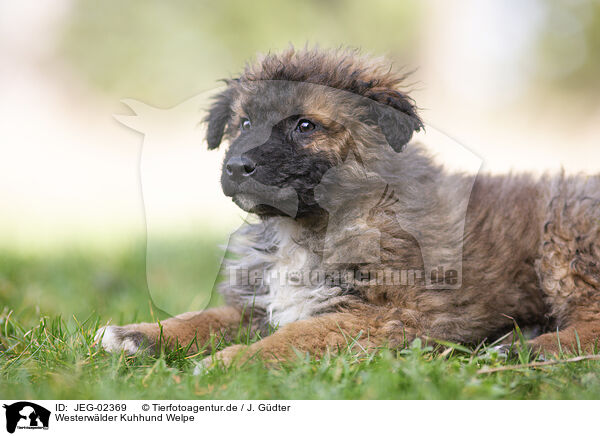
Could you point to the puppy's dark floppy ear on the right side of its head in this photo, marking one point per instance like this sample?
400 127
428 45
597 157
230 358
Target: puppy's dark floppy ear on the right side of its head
396 115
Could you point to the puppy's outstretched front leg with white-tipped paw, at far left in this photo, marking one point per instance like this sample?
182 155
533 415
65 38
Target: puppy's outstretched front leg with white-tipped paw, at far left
181 329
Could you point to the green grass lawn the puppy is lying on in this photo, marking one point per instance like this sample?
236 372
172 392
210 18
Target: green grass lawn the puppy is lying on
51 305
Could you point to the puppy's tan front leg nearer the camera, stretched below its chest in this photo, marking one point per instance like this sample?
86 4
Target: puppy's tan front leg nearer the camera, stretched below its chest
316 336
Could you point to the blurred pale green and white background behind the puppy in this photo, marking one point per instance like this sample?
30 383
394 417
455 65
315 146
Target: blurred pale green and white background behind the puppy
518 81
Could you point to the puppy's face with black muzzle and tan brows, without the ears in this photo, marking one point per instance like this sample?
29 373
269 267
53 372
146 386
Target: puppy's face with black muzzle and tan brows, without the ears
282 142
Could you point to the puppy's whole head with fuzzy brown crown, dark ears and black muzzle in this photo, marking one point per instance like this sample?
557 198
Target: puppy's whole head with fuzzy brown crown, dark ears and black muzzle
292 116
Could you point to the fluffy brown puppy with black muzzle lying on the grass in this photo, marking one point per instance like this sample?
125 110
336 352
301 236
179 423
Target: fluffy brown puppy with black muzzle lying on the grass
362 239
